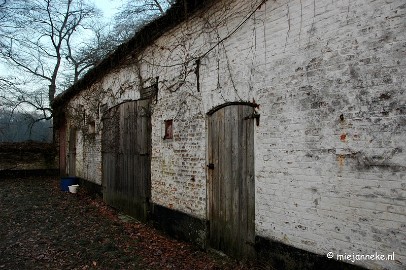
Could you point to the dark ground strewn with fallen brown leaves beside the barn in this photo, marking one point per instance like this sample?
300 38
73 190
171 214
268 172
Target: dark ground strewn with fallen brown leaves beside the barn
42 227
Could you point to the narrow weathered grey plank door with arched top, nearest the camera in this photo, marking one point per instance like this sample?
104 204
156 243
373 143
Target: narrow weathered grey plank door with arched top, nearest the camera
231 180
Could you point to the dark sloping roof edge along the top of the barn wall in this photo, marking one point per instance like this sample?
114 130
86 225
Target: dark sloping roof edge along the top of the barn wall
178 13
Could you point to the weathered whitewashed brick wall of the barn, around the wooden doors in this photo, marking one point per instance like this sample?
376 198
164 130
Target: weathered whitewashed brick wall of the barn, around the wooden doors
330 148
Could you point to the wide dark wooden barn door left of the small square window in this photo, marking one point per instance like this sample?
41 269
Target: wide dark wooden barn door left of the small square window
126 144
